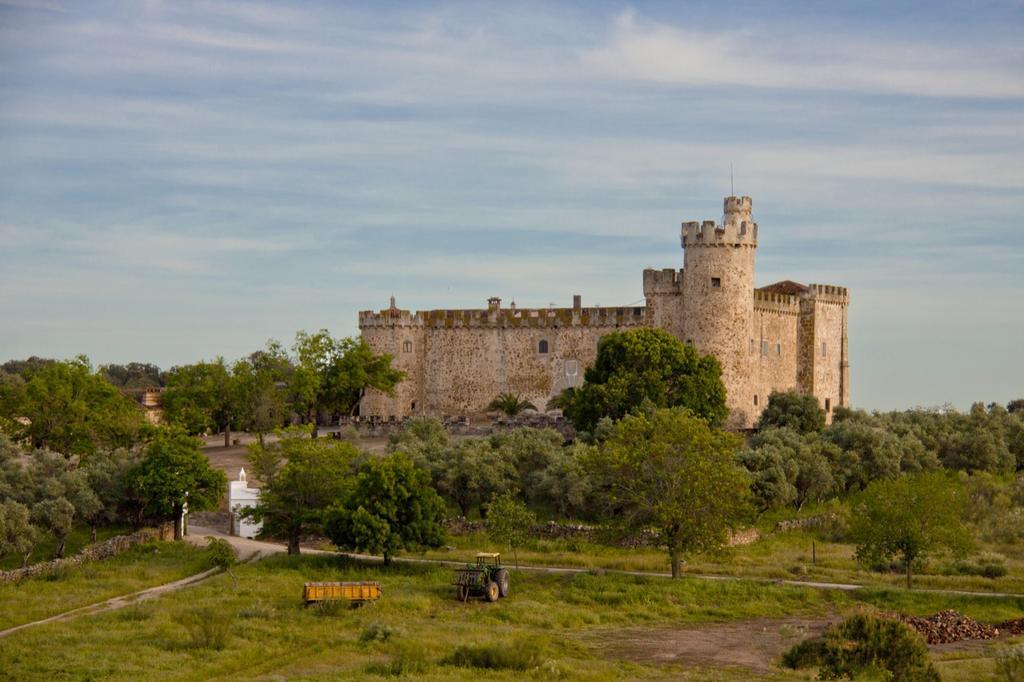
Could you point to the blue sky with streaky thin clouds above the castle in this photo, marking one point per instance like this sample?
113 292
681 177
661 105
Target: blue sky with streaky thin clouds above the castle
182 181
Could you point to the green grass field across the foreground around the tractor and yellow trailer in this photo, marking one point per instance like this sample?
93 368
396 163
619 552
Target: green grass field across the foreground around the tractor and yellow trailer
551 627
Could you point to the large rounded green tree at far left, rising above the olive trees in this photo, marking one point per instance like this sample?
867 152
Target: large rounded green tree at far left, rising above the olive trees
68 409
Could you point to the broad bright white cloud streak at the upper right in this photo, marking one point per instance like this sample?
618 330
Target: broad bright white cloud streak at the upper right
655 52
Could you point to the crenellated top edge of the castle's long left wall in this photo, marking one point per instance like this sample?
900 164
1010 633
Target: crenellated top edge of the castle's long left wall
506 318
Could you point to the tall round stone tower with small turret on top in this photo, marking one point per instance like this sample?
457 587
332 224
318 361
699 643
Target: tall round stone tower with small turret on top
718 297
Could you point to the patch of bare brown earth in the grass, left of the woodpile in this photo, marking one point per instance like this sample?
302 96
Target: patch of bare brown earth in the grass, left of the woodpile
752 645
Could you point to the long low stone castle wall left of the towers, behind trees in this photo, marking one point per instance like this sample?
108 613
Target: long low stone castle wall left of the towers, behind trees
457 362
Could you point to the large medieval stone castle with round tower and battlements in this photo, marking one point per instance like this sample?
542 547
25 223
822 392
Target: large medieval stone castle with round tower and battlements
781 337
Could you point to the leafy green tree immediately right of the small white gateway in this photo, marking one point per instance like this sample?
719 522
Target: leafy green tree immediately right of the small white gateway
318 475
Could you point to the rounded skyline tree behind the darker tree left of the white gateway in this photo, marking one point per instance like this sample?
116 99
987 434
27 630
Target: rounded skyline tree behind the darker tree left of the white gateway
201 399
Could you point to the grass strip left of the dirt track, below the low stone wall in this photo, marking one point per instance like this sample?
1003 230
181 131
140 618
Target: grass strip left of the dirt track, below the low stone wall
140 568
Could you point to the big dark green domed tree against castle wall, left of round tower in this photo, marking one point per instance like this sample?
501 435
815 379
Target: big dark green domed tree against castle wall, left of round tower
651 365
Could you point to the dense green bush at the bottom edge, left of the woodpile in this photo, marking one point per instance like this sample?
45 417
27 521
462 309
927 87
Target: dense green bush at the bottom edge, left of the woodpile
866 646
